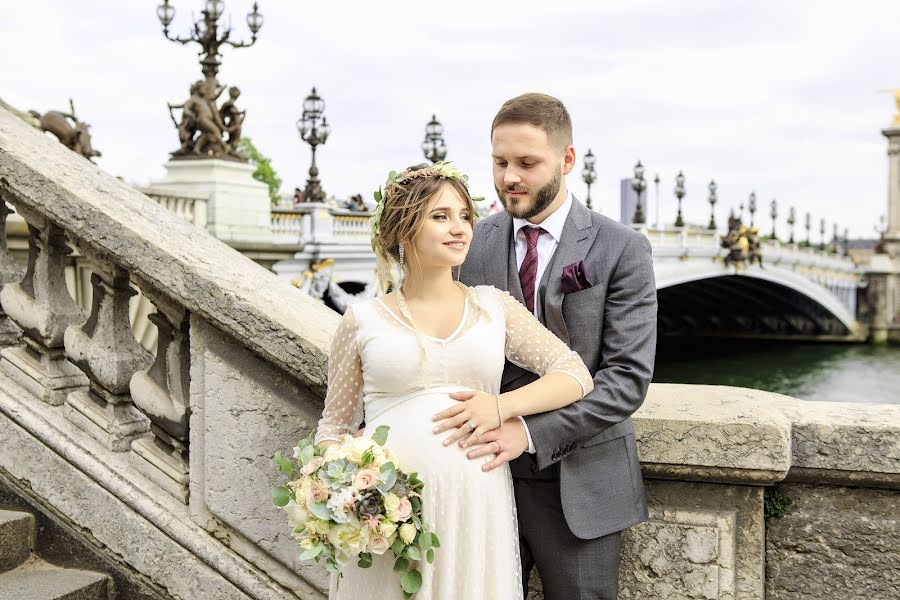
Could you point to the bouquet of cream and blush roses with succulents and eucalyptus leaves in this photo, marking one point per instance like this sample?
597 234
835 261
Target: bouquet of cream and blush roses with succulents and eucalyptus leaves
350 501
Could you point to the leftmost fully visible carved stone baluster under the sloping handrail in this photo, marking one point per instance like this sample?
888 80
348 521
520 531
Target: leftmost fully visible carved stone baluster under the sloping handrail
41 305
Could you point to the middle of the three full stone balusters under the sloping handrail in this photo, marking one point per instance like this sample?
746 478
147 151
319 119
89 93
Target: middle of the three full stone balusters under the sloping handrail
105 349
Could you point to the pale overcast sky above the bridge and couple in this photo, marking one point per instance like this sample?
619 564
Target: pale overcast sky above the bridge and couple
779 97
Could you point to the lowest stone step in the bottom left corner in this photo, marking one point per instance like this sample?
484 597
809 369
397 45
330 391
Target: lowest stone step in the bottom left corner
39 580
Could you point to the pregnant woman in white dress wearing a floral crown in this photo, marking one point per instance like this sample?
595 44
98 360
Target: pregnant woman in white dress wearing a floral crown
396 359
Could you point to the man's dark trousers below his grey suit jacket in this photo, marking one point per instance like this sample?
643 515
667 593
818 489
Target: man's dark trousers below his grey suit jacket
570 568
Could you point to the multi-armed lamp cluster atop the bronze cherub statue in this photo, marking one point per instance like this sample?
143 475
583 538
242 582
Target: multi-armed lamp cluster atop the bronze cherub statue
206 33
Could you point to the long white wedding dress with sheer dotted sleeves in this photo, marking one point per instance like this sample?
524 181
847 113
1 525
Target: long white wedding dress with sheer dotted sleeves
377 371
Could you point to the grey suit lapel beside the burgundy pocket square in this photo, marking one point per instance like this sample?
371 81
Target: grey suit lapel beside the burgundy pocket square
577 238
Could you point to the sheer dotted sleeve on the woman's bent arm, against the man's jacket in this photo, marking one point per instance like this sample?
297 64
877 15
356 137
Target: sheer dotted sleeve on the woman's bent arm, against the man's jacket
535 348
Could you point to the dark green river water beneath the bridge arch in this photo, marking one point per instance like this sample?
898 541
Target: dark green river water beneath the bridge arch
833 372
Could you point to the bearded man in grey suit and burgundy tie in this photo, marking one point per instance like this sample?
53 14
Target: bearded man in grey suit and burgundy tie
589 280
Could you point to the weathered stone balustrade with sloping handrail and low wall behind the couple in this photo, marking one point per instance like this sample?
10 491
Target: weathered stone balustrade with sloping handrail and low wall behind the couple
165 460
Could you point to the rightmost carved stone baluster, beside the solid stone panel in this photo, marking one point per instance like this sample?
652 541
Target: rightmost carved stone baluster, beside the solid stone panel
162 393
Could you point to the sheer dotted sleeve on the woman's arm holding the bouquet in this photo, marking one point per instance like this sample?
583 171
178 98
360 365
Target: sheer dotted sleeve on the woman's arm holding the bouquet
343 410
